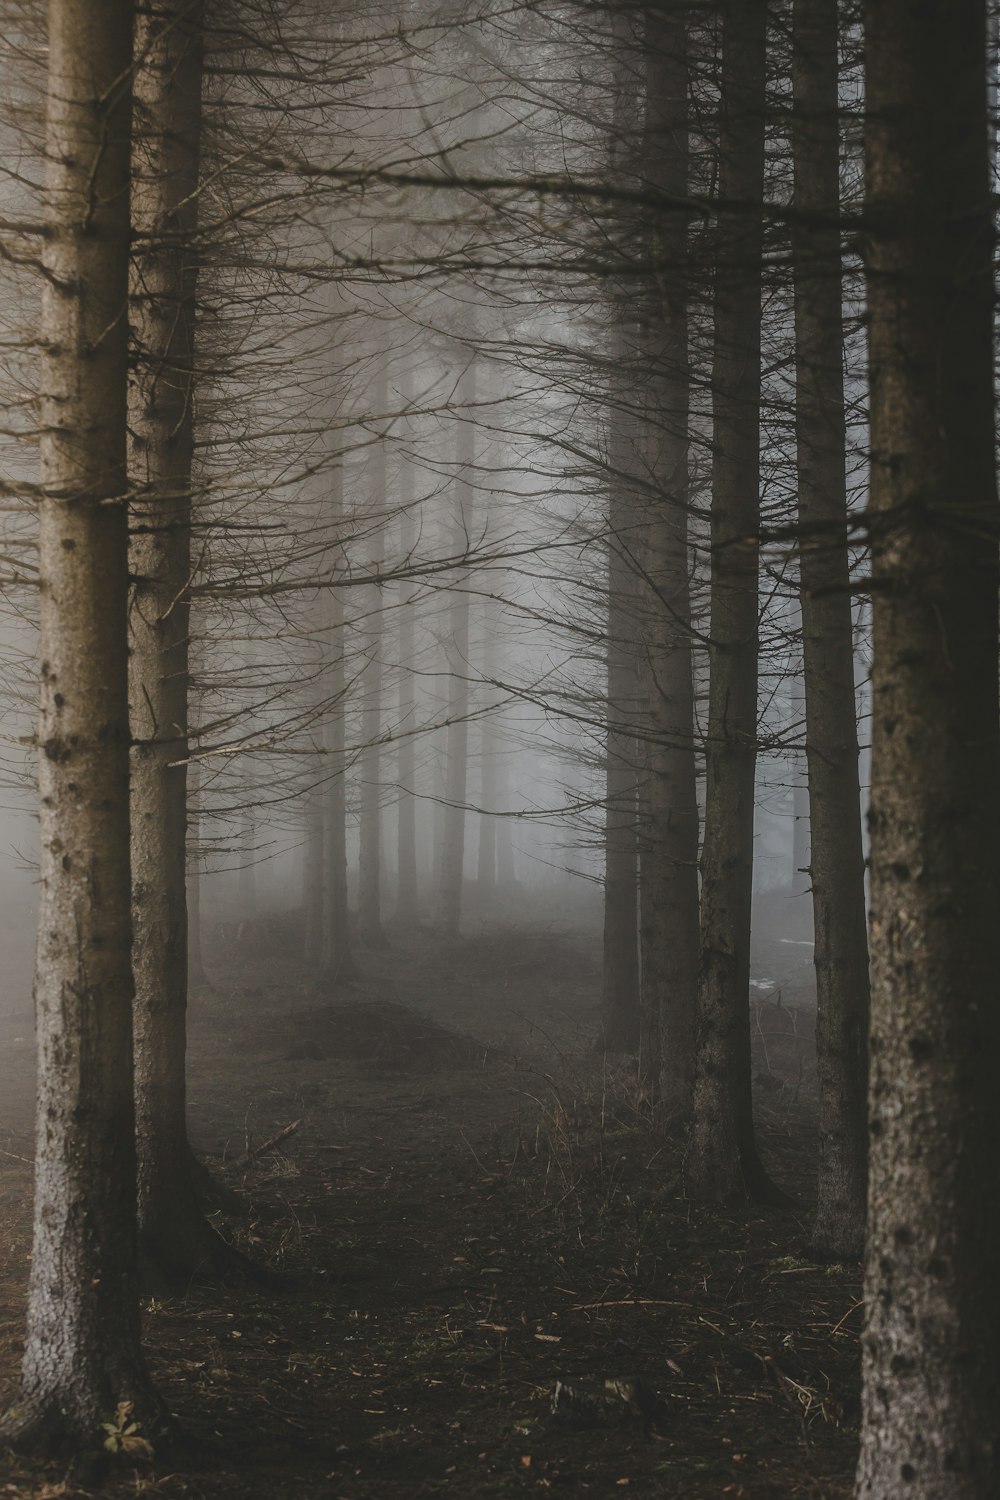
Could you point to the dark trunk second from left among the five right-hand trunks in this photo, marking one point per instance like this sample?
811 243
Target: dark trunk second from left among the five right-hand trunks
669 887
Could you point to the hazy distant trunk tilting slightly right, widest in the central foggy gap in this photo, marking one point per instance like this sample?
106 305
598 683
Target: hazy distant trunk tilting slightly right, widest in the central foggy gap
457 769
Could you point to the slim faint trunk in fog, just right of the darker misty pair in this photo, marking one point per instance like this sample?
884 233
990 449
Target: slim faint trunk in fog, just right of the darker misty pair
371 838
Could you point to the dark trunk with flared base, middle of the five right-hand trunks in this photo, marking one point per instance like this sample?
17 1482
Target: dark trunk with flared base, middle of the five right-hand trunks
723 1163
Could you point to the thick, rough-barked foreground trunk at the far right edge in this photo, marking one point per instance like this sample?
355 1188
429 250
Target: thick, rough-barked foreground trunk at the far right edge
932 1375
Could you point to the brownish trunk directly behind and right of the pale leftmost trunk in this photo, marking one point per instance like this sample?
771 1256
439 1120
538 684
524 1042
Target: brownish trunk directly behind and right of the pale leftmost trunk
178 1241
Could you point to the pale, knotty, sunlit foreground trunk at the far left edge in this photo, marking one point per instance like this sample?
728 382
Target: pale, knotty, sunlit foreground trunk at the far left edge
83 1354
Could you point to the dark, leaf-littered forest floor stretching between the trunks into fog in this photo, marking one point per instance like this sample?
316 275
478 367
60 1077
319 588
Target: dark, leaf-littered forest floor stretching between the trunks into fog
473 1210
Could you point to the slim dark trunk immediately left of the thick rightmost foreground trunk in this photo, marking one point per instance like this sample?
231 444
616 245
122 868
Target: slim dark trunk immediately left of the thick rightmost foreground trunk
837 865
